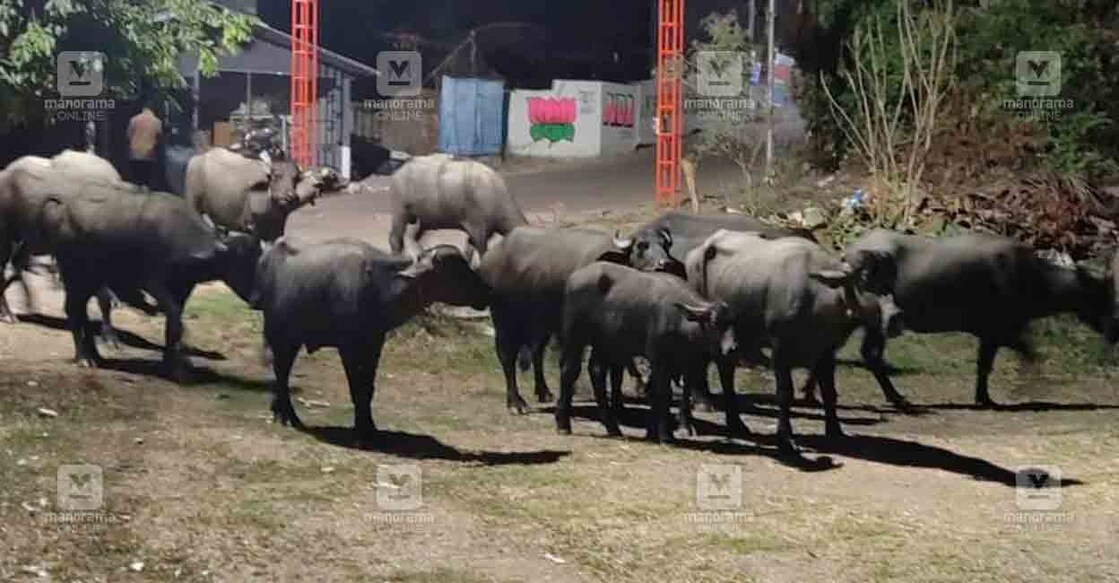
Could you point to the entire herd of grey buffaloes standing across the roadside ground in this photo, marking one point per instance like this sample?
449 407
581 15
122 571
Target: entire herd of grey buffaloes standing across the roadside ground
683 293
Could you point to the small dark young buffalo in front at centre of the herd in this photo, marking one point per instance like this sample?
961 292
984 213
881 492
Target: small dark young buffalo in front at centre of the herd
623 314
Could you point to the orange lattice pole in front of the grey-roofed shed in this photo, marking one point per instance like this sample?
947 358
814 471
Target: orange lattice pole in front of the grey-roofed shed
305 81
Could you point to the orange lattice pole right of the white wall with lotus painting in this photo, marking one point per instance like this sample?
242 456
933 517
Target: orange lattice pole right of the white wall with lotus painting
670 101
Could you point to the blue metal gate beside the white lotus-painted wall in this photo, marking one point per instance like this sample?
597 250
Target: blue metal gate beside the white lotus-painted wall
472 120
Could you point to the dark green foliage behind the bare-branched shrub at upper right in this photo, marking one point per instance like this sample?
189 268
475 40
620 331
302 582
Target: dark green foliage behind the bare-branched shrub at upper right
1083 140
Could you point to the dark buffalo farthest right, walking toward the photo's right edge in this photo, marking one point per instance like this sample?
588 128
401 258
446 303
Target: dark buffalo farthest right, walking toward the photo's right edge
986 286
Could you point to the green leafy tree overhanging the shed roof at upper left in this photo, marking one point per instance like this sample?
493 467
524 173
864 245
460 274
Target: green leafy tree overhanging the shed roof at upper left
143 40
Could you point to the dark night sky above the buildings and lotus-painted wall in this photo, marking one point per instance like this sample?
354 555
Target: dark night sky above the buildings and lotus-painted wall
589 40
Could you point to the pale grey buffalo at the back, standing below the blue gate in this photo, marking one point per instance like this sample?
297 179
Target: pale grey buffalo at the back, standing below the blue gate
438 192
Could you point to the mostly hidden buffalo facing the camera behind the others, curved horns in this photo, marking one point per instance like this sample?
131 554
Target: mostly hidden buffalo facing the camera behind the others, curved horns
676 233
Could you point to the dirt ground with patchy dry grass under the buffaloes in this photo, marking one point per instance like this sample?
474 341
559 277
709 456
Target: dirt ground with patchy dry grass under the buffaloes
198 484
